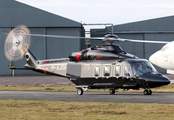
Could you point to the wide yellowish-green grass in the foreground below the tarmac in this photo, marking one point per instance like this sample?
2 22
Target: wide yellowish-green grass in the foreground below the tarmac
56 110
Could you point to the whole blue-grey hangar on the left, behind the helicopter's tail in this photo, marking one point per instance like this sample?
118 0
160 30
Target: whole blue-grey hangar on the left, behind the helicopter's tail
13 13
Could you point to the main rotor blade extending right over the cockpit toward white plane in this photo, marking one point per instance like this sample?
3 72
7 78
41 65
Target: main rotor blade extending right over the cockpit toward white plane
142 41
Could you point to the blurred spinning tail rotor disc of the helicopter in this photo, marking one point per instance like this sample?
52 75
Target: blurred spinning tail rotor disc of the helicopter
17 43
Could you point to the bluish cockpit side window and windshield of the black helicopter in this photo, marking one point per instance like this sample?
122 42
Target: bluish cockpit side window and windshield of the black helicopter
143 67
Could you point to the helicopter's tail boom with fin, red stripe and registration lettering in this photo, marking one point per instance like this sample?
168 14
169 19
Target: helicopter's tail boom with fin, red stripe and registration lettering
51 66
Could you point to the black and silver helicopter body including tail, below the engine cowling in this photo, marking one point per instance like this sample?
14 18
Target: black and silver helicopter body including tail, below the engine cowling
101 74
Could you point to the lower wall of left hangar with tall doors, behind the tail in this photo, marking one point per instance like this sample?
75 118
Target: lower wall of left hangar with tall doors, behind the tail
43 48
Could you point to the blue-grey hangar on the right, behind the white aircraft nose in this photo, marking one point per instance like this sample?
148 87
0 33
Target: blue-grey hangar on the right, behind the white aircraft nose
160 29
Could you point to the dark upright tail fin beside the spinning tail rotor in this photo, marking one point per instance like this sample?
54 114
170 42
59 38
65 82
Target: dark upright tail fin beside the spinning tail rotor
31 60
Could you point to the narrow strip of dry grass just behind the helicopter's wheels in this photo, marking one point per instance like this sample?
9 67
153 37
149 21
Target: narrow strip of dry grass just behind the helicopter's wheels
168 88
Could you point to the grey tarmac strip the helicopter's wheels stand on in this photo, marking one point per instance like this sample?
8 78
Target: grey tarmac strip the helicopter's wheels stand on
128 97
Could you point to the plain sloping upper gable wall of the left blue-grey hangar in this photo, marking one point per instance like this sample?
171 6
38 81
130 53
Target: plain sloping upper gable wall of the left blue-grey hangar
14 13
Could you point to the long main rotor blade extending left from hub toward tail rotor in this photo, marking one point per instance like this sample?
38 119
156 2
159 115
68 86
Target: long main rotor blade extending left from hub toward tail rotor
59 36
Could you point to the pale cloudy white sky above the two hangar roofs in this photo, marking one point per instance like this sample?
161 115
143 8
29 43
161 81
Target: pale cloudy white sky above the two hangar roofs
106 11
